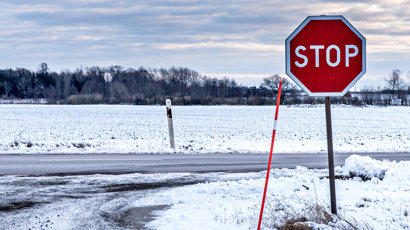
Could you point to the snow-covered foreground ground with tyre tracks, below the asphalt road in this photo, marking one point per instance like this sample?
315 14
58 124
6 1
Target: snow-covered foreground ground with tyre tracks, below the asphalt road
207 201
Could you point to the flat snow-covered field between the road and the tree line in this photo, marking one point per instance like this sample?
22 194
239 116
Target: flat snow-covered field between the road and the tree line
199 129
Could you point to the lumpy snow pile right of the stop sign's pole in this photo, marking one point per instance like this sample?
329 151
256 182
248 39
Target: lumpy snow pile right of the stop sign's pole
365 167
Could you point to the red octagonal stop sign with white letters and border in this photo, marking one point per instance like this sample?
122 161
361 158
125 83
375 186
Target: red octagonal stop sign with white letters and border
325 55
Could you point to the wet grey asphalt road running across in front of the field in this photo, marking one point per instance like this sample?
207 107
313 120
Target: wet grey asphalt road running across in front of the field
82 164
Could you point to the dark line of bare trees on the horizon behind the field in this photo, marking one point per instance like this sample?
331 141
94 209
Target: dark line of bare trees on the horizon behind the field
116 85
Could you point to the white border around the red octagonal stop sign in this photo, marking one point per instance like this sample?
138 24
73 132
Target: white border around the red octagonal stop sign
298 29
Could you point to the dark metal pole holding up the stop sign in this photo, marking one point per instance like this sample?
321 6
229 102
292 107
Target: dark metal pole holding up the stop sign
330 156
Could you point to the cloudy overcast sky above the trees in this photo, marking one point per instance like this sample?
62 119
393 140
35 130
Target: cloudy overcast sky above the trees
240 39
